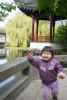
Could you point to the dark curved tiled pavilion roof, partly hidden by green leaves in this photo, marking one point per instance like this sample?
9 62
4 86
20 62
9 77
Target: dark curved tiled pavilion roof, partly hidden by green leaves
27 6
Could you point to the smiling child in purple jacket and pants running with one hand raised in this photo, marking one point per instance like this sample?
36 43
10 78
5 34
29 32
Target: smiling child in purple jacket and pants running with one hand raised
49 68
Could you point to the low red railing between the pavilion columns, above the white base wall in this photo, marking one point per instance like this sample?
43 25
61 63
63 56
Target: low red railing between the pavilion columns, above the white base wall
40 39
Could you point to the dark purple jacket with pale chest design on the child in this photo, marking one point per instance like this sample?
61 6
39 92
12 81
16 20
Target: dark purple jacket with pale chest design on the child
48 70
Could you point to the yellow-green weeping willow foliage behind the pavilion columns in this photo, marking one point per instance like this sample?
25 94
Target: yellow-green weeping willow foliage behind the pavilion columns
19 28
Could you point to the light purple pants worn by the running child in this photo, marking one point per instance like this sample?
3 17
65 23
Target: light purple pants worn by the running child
54 90
